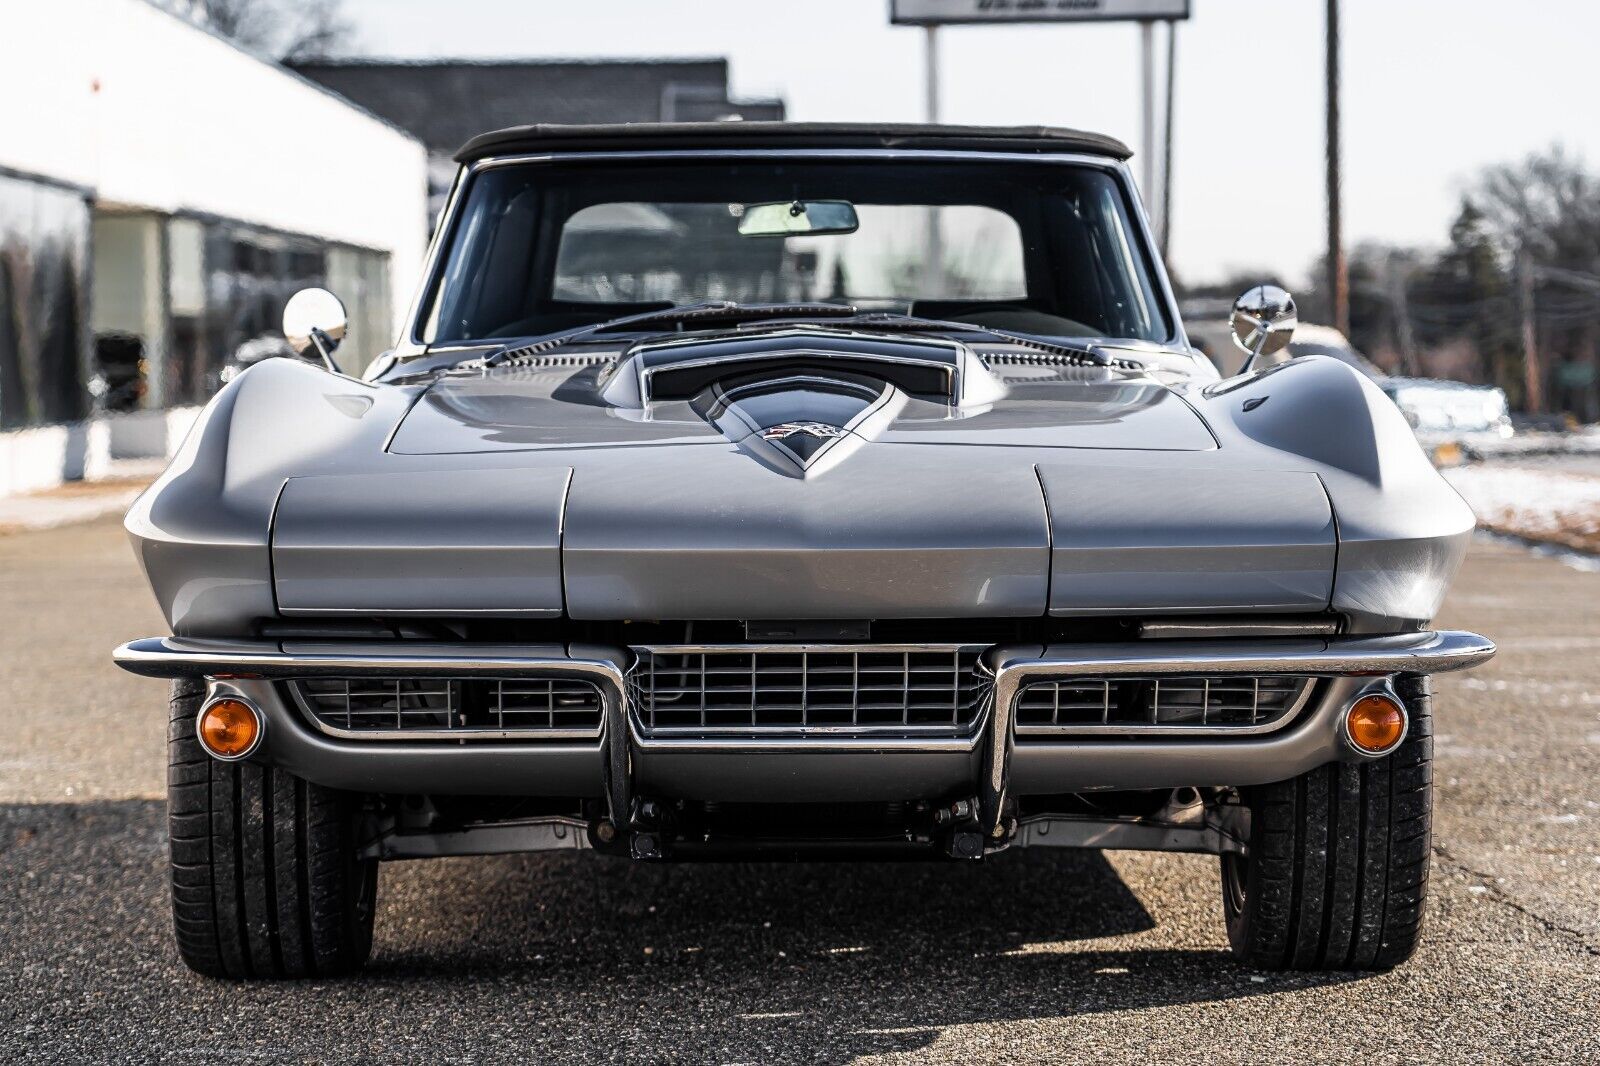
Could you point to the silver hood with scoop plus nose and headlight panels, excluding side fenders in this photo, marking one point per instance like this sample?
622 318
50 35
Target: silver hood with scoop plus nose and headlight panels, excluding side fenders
782 489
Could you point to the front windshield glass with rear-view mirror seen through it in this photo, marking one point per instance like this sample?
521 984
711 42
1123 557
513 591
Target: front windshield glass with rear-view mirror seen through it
1030 247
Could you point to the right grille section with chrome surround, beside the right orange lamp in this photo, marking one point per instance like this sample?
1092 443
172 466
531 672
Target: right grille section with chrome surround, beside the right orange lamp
1089 707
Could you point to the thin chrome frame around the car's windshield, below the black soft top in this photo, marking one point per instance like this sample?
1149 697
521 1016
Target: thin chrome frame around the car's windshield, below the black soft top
446 233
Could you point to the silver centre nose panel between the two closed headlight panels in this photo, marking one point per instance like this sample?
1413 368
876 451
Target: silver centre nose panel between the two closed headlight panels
727 537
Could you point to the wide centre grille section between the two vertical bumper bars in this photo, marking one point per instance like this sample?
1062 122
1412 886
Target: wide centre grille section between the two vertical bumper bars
913 691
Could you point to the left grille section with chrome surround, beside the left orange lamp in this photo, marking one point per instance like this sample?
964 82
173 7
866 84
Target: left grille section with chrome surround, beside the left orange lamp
436 708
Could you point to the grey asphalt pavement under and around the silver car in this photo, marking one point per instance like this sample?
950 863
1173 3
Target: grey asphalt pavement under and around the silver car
1033 956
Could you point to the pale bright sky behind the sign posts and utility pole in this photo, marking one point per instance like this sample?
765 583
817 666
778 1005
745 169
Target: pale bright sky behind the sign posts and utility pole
1434 90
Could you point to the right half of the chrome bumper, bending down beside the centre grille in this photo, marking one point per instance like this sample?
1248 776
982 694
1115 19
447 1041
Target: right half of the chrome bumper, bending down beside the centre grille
1362 657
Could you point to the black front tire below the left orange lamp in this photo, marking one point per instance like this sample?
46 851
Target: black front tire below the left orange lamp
265 872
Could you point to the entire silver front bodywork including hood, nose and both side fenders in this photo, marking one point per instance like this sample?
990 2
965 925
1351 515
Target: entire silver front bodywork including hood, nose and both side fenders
289 500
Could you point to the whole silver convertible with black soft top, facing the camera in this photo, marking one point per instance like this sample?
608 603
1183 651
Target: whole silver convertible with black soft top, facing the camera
761 491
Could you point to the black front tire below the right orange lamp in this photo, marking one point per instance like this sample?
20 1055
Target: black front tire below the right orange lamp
1337 873
